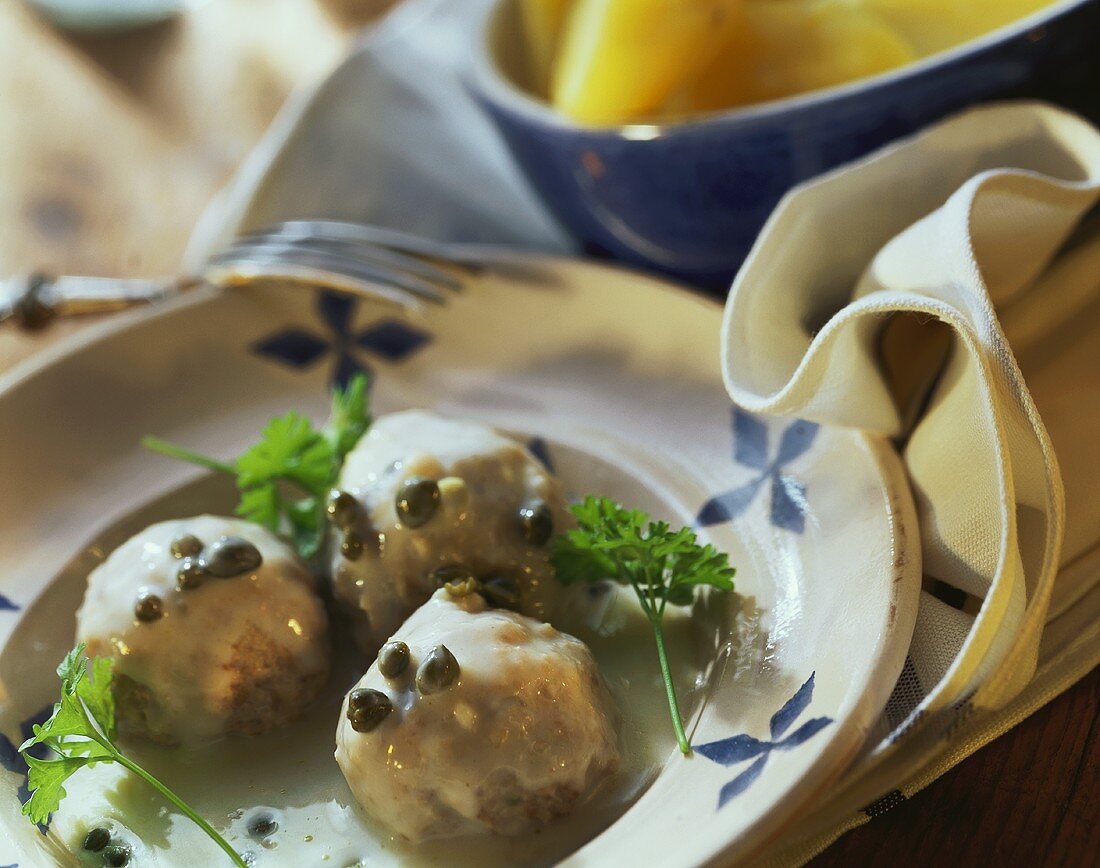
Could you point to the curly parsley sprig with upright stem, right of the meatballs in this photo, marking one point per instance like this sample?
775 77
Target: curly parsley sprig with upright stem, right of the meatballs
664 566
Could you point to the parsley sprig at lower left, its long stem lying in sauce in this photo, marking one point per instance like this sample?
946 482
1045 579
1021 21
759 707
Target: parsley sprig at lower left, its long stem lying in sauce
82 733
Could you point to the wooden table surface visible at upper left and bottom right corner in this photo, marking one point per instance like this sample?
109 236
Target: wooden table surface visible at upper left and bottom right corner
112 147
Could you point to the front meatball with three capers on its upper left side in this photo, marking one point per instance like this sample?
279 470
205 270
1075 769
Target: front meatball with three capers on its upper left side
476 720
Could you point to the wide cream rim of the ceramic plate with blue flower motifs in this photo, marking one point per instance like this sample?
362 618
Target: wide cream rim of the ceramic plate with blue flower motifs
614 378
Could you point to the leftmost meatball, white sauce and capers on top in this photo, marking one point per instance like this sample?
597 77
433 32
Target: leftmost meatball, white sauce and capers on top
215 628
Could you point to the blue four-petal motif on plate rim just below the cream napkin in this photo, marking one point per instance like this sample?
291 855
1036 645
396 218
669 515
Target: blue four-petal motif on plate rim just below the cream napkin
752 451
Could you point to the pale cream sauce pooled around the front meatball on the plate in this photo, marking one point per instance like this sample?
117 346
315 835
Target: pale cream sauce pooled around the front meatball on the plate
292 773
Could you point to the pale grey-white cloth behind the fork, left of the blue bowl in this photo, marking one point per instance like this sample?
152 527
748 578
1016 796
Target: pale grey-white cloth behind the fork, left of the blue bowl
409 148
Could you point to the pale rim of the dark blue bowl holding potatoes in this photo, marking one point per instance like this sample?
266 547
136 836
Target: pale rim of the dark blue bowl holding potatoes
491 83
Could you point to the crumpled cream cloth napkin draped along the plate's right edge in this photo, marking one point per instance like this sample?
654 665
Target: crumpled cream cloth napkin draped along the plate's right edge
872 301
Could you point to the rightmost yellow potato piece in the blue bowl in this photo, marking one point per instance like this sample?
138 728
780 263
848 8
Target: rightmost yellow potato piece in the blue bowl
933 26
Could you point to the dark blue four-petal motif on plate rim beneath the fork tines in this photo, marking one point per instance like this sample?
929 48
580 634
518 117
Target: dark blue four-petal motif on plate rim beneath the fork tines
390 339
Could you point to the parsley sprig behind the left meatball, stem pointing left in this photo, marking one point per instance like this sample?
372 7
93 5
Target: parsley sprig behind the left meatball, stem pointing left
291 454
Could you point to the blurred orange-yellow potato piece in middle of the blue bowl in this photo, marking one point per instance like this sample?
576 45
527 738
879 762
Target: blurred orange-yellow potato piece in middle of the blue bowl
782 48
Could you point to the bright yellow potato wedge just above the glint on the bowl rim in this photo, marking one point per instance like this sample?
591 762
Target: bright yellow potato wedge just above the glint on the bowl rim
622 60
